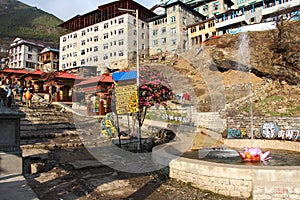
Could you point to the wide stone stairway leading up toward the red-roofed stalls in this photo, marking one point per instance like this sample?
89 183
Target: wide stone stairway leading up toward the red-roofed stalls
46 126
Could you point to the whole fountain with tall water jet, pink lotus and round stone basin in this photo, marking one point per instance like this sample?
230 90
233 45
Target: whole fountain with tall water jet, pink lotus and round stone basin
277 178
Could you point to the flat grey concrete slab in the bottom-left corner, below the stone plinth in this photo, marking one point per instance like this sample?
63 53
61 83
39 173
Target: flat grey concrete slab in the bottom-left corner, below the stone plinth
15 187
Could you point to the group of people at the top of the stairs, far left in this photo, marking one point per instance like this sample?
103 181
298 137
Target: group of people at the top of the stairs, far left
13 90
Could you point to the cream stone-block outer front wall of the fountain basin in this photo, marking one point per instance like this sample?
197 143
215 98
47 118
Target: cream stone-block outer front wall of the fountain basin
239 181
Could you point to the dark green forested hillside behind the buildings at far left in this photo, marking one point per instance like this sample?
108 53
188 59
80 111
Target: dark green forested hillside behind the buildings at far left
18 19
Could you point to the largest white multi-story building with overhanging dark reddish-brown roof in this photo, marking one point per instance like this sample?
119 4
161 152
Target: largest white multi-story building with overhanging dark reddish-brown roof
106 37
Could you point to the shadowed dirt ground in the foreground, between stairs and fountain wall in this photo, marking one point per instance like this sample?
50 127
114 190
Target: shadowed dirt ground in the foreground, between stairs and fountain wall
63 179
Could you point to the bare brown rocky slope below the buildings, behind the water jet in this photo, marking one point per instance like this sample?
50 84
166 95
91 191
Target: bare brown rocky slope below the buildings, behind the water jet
224 74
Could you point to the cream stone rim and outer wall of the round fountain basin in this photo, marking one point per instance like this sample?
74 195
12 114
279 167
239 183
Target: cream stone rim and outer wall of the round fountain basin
239 180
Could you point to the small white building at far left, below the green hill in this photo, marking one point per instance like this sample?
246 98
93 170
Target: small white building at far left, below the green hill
24 54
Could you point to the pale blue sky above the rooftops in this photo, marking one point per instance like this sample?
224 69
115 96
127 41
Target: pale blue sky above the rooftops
67 9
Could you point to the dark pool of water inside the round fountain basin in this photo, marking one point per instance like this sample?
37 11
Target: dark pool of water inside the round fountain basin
228 156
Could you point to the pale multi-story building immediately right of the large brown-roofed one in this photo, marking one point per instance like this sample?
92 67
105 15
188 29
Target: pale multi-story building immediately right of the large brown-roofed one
168 31
